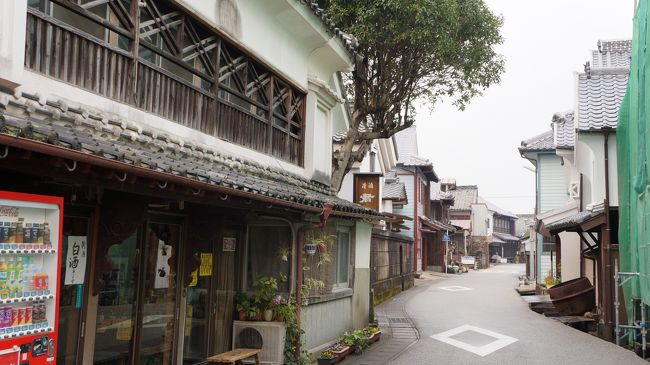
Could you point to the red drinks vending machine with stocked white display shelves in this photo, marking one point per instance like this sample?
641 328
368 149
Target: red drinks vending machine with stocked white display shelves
30 254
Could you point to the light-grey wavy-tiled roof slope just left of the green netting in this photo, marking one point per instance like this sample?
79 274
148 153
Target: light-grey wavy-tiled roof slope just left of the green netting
599 98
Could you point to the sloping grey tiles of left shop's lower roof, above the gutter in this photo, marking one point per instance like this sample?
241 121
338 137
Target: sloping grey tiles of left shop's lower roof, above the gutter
170 157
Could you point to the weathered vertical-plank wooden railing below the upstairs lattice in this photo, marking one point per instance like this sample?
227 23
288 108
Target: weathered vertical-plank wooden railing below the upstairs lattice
58 50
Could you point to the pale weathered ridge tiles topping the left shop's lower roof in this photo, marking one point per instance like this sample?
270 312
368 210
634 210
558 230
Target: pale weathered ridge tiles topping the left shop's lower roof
114 127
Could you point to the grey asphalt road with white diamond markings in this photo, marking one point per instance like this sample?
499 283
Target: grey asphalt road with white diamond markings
478 318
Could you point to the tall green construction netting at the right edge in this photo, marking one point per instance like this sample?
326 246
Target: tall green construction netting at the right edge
633 154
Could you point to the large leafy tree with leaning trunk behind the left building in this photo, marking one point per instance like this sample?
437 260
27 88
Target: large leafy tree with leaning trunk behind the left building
411 51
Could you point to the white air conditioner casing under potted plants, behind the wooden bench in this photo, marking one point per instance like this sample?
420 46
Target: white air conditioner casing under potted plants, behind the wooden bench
273 335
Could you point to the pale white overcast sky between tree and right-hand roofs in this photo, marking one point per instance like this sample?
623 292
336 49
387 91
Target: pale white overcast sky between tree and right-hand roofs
546 43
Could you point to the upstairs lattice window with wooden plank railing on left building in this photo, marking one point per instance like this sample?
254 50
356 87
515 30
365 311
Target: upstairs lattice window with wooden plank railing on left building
153 55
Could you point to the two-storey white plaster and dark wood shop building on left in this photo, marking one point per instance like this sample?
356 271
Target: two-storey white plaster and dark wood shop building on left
182 135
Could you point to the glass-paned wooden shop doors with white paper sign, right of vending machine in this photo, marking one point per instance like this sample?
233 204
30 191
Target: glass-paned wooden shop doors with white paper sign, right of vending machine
137 312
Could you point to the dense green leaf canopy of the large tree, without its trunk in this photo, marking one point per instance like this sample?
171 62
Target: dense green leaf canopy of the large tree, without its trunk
420 48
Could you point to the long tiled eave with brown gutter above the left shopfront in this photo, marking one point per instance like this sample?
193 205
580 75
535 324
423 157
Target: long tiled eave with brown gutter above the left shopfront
129 152
